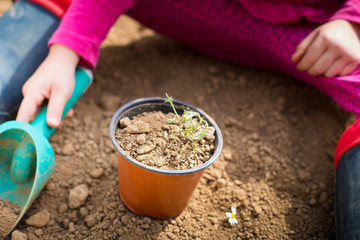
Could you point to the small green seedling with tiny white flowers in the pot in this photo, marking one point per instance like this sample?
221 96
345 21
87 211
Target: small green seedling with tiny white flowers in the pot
189 129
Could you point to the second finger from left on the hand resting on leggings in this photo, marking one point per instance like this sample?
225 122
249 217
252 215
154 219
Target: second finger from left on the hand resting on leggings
312 54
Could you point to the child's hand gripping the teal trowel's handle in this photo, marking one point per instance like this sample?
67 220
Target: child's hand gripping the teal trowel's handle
53 80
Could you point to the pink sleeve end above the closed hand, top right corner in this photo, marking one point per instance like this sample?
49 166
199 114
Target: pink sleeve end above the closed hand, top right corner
349 11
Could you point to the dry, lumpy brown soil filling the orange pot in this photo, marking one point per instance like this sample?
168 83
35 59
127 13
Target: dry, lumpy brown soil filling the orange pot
151 140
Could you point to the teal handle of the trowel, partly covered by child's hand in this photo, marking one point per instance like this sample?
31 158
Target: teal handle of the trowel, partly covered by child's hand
83 79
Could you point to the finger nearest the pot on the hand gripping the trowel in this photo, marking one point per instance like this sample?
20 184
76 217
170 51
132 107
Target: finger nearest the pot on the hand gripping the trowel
56 105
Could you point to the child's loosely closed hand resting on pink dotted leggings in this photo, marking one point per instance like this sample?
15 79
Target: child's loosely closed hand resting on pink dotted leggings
331 49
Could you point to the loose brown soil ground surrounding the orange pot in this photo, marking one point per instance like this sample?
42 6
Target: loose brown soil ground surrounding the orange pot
276 167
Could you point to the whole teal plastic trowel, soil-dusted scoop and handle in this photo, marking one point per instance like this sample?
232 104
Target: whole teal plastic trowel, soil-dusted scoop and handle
26 157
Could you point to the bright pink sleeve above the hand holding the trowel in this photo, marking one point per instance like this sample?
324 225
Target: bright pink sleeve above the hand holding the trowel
86 24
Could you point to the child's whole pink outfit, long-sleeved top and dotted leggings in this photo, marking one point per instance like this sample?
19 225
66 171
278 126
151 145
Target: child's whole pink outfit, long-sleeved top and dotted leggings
256 33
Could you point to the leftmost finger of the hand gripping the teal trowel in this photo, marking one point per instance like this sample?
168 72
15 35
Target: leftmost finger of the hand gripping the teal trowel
29 107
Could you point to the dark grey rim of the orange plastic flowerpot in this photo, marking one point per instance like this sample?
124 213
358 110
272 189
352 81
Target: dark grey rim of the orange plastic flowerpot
158 102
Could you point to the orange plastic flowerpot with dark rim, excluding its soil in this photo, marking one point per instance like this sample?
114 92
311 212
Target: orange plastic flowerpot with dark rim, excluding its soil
150 191
